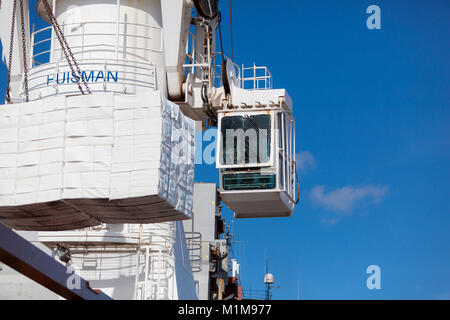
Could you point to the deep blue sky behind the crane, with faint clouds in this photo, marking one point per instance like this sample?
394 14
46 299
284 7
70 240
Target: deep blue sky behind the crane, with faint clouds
373 142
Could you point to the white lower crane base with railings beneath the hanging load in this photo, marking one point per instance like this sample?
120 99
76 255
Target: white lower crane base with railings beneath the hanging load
141 262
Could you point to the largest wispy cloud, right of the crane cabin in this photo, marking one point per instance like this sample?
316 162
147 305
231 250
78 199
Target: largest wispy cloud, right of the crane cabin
345 199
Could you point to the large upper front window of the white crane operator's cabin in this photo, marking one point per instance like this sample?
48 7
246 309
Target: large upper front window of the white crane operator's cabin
246 139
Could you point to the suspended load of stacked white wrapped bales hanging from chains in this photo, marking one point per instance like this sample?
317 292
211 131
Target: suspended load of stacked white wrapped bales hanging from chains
99 146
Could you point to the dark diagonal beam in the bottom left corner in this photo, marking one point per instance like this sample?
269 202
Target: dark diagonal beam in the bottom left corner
32 262
